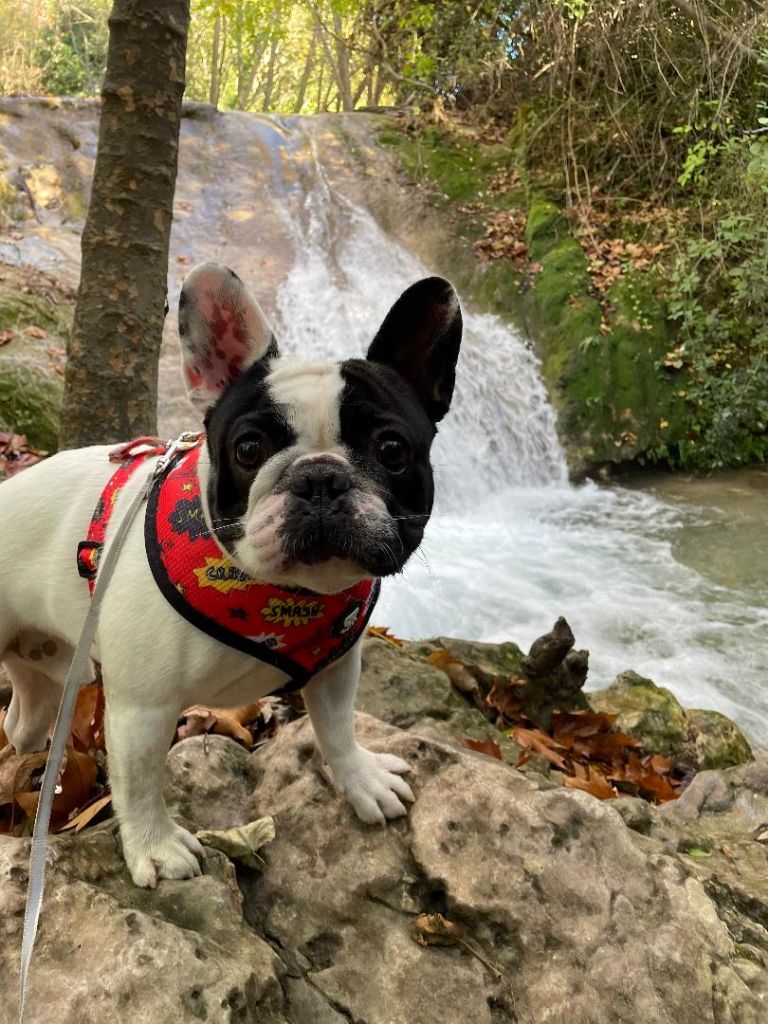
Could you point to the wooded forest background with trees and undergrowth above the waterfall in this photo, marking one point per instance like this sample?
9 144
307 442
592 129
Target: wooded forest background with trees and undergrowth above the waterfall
646 122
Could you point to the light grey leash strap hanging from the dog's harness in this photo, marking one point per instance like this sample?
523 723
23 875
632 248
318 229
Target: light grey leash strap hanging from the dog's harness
75 677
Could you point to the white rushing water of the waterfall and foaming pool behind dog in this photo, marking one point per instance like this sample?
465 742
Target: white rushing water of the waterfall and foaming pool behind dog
513 545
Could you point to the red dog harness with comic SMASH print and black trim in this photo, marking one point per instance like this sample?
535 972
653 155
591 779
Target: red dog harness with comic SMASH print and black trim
294 630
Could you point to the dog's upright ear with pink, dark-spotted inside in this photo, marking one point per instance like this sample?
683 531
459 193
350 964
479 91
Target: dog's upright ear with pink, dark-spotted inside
223 331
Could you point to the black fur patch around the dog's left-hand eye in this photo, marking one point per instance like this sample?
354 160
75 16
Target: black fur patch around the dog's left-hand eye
245 410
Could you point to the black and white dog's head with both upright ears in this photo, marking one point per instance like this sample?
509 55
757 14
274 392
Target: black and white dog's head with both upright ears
320 473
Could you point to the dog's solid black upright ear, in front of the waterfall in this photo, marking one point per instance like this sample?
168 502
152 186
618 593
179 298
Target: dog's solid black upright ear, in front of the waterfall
420 338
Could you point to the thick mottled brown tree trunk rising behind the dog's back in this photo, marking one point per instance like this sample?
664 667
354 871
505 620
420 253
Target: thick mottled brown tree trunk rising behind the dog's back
111 388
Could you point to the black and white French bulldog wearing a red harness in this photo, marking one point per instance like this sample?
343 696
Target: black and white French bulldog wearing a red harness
313 482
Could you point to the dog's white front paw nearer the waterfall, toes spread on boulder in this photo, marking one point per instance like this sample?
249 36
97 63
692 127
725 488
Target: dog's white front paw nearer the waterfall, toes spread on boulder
373 786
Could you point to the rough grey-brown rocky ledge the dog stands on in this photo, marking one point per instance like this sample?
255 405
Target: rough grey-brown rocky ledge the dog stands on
544 904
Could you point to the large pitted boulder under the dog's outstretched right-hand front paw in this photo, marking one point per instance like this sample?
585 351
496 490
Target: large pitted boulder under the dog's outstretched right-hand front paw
585 920
